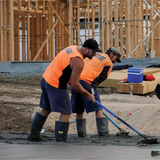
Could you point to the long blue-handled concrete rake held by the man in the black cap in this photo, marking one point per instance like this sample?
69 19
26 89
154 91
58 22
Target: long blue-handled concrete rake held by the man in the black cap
146 139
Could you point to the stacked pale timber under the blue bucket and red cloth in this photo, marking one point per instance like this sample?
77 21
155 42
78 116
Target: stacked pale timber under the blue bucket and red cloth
116 79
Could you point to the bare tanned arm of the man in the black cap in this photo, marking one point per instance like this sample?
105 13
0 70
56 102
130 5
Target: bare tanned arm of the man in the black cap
77 66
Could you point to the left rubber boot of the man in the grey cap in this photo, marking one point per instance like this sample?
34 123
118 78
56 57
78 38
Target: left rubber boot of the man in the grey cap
81 127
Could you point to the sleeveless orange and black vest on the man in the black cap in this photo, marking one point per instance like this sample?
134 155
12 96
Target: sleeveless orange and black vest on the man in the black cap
58 72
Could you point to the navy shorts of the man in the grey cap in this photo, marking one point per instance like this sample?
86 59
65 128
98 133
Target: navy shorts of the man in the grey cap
79 102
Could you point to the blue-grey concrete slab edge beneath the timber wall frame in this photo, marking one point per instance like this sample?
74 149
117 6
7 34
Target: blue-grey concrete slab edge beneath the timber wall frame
14 67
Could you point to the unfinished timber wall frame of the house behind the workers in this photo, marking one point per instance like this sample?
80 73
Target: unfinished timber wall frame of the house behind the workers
36 30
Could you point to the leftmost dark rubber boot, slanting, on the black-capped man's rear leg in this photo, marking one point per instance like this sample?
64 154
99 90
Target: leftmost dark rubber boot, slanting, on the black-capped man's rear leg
36 127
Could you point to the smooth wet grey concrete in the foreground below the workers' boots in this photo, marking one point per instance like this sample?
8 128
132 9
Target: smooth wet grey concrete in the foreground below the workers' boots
61 151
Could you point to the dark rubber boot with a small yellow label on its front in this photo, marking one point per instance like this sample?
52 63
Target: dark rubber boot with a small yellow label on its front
61 131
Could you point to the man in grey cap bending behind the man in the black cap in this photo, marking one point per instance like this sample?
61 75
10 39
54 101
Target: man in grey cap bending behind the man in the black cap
95 71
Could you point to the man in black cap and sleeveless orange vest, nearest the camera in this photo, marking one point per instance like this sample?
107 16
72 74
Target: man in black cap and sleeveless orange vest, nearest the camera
68 64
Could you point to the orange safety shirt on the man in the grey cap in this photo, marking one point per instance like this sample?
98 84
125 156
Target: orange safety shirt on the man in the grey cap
95 67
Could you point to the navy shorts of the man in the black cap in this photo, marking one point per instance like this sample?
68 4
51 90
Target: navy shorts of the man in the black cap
54 99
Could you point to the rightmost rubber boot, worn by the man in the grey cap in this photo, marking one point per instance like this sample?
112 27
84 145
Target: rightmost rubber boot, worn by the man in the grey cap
102 126
